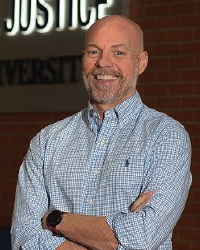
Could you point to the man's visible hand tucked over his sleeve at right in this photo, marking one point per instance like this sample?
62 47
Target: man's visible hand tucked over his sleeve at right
141 201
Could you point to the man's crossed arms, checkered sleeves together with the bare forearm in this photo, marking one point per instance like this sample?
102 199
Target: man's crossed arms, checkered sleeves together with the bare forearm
168 177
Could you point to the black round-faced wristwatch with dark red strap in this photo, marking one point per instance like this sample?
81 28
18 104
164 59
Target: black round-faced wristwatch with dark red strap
52 220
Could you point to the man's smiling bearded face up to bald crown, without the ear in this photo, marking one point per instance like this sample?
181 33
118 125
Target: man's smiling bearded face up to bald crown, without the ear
111 60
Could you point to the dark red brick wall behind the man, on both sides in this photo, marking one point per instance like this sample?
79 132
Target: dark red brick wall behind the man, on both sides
171 84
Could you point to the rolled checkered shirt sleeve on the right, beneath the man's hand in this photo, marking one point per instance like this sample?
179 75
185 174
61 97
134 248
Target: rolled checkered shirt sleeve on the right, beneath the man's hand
169 178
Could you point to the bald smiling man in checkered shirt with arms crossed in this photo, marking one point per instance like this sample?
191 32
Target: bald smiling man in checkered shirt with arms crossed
89 169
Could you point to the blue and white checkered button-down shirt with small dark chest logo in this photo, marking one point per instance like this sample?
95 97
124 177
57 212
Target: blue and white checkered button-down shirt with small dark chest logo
82 165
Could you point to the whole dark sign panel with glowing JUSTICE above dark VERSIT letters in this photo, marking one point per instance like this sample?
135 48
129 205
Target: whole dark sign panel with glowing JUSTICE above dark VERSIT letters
41 48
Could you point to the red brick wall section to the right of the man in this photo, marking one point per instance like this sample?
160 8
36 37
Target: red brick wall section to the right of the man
172 84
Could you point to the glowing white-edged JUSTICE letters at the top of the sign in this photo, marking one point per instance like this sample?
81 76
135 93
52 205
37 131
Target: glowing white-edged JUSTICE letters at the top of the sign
28 16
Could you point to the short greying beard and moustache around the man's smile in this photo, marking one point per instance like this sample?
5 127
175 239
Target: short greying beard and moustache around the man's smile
111 92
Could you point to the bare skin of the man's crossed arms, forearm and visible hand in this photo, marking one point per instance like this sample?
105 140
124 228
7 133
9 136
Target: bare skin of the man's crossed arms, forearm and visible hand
91 232
